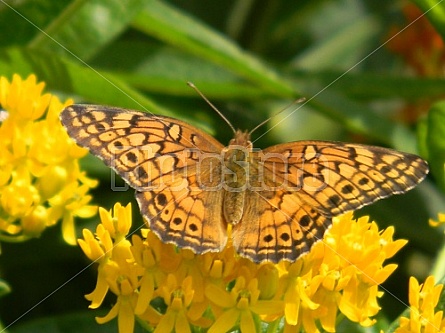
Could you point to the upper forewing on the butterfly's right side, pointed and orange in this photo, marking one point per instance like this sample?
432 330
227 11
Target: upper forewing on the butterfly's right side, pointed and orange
336 177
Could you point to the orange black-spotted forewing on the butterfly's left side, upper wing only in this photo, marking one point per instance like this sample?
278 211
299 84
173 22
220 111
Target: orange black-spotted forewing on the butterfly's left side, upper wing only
146 151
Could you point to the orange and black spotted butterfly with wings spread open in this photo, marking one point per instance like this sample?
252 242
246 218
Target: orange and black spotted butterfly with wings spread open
278 201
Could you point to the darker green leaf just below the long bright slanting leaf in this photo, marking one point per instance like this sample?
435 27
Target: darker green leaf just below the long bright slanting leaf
161 69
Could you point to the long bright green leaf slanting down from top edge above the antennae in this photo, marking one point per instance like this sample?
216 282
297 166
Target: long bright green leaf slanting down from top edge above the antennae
176 28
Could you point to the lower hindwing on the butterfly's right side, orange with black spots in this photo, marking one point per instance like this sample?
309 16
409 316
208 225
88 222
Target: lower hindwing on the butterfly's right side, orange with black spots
284 228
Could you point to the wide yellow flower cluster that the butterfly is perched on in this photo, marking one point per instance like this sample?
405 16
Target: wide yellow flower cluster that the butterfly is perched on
174 290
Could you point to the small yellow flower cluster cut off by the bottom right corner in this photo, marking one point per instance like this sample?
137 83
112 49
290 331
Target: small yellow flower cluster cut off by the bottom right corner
423 300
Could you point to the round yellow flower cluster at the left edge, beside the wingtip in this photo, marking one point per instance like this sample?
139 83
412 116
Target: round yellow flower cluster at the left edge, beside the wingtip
40 179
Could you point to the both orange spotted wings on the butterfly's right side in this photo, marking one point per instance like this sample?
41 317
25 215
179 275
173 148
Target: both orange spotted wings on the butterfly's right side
307 183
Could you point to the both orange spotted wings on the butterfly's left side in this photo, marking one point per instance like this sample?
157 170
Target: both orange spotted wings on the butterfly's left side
171 164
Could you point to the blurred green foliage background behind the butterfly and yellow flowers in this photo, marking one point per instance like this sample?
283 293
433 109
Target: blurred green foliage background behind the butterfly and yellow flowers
251 59
